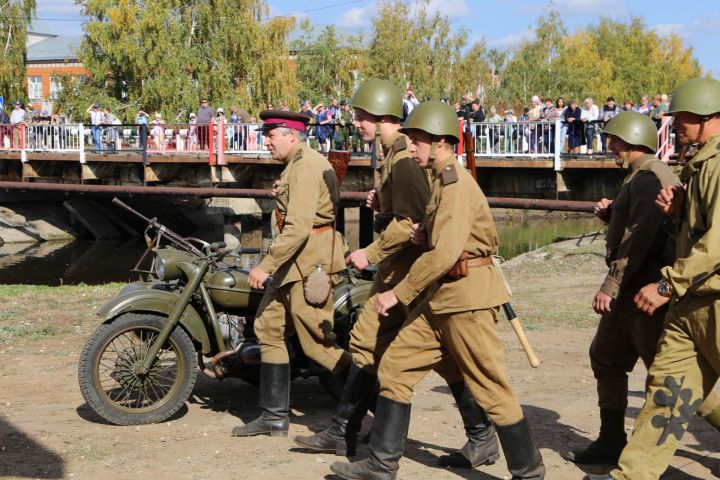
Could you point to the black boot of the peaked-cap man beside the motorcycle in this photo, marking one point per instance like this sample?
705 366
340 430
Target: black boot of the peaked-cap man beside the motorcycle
274 402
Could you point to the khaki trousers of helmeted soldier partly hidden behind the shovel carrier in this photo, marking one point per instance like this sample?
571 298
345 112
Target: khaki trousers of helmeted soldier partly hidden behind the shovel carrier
372 335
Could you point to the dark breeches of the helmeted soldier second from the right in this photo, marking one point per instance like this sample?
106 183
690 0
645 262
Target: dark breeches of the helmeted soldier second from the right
620 340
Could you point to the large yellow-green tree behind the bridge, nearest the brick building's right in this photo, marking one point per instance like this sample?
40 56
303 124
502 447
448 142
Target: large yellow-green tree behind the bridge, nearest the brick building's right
165 55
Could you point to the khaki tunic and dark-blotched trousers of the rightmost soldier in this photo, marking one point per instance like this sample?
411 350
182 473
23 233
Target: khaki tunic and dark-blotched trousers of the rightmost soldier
687 363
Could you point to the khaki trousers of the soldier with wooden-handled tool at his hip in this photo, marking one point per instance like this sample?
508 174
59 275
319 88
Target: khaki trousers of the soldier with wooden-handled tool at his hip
468 338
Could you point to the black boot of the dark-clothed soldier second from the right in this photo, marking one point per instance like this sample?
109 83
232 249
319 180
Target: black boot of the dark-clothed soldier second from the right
610 443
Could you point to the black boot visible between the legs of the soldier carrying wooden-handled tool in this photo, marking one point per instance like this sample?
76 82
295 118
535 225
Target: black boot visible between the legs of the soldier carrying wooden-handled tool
482 446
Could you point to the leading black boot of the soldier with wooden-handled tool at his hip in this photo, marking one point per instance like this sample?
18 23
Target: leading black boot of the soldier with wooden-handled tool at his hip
386 445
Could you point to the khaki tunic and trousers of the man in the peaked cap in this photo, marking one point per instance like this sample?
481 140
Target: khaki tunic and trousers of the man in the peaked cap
306 198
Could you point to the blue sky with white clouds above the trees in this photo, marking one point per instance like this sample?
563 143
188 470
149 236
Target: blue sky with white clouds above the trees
502 23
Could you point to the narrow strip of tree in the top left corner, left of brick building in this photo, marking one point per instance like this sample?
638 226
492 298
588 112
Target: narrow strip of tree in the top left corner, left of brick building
15 15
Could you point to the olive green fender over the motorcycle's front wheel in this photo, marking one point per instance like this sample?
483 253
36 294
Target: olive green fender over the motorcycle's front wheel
156 301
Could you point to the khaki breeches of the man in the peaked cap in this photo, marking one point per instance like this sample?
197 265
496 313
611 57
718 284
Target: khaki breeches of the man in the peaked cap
284 310
